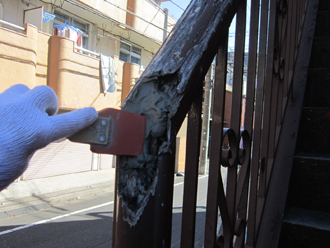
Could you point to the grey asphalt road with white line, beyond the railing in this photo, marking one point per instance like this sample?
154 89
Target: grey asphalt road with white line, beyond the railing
85 222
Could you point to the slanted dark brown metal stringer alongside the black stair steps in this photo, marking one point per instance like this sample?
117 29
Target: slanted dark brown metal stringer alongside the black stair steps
274 206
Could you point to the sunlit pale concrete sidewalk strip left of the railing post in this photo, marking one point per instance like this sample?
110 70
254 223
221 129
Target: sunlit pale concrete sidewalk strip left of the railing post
31 195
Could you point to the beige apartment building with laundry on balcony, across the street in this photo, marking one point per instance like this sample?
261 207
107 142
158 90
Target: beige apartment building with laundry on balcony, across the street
63 44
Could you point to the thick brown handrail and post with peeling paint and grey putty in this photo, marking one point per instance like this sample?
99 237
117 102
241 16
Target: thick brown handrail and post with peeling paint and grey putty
164 94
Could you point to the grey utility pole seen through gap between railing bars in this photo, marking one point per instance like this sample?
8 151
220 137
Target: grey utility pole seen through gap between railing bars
206 121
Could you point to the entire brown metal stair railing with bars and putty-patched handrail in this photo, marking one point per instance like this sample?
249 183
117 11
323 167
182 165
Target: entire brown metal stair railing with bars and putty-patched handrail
235 214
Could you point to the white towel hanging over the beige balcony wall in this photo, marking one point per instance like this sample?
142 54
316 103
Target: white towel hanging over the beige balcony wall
107 67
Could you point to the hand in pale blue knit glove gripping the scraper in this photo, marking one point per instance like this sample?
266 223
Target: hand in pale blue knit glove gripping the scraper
28 122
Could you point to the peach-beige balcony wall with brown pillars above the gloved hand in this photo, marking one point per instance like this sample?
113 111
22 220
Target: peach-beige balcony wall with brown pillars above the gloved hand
35 58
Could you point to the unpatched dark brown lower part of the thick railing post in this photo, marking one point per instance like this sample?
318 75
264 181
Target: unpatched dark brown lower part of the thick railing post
154 227
